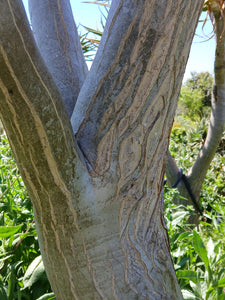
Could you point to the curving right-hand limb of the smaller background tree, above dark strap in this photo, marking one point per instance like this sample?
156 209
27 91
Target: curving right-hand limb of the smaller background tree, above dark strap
217 120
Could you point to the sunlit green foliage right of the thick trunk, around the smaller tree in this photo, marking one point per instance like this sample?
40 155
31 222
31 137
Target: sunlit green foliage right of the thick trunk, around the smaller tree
199 254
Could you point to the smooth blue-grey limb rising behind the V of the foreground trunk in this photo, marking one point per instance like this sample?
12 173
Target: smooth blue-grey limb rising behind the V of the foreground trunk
58 41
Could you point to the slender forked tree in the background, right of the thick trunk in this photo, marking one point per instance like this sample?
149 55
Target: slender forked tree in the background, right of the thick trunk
198 171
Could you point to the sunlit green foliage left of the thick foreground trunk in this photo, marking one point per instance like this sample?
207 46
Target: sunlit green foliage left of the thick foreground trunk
22 274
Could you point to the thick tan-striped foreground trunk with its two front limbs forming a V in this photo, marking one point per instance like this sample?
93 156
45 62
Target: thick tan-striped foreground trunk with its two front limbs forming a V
98 199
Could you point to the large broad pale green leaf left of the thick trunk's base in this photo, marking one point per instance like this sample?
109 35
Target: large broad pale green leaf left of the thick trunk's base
35 272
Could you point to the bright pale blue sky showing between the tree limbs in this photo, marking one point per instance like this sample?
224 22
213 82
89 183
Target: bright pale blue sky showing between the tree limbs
201 57
